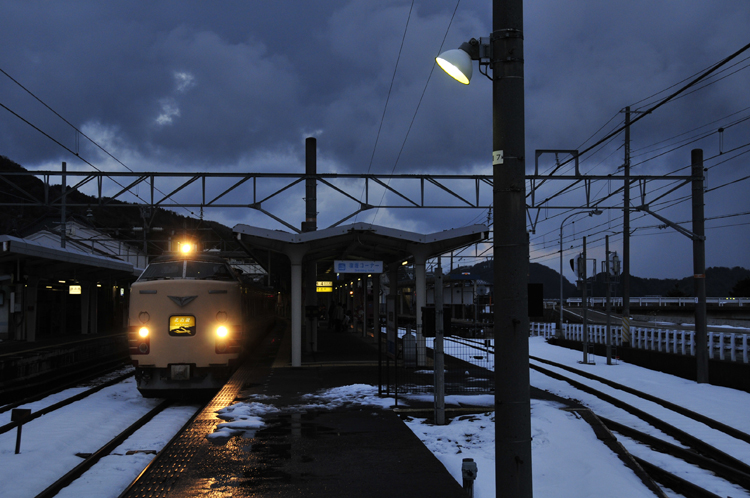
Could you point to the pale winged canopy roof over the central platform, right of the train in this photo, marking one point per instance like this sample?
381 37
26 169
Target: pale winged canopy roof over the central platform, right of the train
359 241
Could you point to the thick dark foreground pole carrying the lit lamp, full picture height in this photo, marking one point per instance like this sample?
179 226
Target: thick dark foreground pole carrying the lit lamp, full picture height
511 254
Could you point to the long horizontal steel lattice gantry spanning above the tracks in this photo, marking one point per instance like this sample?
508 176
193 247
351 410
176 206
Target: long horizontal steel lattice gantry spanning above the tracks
257 191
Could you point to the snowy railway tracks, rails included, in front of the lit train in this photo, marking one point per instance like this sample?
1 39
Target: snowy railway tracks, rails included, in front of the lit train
102 420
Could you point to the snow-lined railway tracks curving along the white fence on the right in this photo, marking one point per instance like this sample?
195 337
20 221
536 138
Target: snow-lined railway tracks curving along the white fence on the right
699 441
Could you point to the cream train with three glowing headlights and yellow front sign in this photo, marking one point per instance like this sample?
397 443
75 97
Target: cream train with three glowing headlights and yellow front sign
191 319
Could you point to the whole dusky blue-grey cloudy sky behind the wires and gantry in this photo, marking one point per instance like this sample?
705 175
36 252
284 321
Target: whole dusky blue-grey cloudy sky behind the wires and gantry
237 86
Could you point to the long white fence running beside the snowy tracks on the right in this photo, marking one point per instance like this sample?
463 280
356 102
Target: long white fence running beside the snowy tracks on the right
728 346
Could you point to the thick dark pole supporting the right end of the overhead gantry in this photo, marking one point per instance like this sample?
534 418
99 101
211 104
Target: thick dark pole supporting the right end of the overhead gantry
699 267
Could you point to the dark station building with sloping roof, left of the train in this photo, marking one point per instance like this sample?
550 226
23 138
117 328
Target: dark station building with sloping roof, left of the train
55 284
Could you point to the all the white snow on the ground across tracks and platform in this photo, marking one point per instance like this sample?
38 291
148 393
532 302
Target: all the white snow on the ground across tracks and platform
568 460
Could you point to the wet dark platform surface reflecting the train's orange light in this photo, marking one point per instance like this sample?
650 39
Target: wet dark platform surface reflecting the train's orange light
303 450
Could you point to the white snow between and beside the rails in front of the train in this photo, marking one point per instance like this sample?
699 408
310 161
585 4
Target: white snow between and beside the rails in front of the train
49 444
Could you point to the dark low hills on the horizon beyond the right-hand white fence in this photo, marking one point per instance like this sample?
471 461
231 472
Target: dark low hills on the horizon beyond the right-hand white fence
719 282
